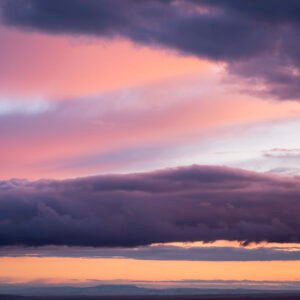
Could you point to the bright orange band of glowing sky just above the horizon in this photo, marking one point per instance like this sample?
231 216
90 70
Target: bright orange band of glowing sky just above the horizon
26 269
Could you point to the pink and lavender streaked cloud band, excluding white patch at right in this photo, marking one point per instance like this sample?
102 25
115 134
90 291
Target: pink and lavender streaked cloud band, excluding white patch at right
113 131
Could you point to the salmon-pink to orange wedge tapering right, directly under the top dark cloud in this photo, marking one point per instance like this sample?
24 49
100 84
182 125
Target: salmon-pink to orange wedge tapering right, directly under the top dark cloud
60 67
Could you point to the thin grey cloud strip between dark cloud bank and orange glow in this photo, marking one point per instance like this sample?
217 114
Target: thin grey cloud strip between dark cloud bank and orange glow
160 252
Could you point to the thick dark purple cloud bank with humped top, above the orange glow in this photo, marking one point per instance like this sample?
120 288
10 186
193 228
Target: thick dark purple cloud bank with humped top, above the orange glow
185 204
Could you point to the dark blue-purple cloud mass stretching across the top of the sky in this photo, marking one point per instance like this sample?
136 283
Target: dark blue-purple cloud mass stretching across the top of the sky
259 40
